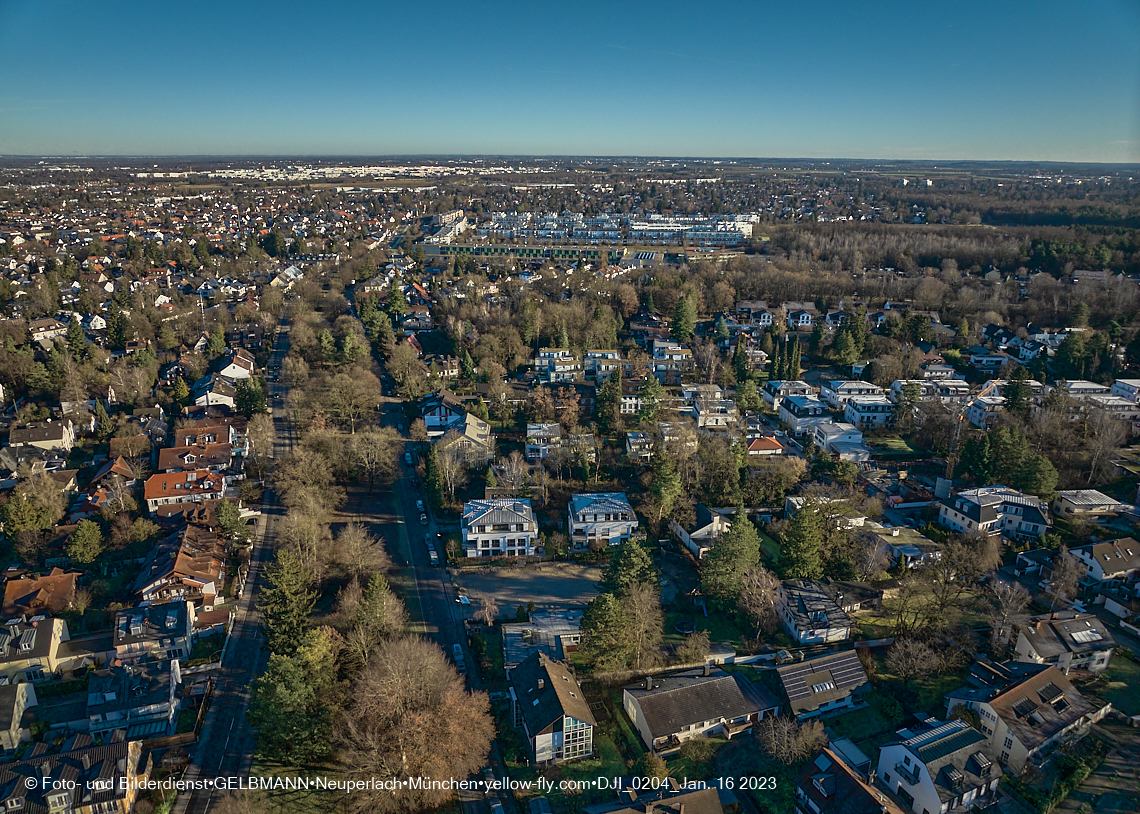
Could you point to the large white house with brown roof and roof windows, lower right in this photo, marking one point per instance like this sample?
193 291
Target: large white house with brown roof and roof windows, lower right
1025 710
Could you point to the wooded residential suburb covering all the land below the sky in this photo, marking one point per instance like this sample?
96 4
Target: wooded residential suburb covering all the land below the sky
466 484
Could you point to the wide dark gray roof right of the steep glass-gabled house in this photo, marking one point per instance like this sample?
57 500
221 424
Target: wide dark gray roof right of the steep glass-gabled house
690 697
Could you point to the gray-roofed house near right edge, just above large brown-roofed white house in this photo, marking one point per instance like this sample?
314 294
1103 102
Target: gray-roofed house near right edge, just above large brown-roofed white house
1066 640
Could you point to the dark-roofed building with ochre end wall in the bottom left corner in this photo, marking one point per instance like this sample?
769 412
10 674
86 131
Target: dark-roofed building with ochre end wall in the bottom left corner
82 779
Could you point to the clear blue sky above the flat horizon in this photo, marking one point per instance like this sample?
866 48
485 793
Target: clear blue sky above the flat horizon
999 80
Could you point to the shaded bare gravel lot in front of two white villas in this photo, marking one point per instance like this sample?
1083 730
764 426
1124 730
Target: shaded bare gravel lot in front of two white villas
550 587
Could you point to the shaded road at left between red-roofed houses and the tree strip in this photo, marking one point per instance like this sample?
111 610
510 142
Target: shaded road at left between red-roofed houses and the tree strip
227 742
